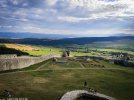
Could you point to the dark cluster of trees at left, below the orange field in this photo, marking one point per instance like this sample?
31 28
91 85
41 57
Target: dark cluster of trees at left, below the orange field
4 50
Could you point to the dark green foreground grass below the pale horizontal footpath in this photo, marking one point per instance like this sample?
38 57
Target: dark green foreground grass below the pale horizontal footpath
52 84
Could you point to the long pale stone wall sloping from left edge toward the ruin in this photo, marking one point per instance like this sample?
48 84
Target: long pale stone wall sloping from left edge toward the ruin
22 62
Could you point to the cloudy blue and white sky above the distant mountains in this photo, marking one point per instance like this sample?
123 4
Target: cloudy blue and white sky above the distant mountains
76 17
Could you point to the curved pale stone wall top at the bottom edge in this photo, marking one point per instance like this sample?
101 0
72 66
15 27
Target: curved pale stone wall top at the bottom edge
72 95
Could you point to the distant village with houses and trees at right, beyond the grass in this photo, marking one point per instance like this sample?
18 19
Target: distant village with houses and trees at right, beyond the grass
119 58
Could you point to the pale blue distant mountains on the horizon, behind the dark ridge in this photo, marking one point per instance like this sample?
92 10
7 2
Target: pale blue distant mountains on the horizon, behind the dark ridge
20 35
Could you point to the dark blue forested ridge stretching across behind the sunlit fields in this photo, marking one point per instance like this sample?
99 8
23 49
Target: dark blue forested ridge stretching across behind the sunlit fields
69 41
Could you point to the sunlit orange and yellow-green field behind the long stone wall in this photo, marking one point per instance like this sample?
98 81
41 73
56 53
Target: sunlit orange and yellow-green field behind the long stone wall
33 50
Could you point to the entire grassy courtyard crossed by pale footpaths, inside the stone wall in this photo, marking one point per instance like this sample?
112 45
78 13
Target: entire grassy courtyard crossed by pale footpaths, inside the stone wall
49 80
